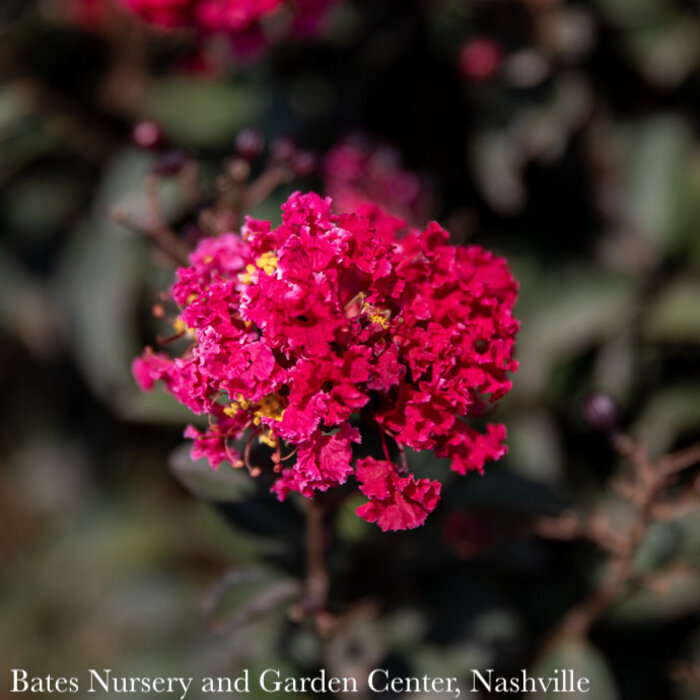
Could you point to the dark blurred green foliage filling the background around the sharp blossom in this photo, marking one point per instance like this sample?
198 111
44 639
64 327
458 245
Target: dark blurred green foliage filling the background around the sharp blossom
577 157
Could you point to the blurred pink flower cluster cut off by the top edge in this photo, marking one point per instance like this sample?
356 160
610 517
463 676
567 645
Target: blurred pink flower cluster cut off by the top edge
227 16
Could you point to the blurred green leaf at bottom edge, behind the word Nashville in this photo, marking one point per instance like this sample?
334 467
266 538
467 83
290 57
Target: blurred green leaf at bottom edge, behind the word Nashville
585 661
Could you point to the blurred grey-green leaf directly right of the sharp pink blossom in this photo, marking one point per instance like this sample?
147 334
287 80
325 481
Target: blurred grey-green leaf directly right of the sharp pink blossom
571 313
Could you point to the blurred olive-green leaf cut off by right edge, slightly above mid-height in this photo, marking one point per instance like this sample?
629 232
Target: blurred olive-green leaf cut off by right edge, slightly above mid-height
675 315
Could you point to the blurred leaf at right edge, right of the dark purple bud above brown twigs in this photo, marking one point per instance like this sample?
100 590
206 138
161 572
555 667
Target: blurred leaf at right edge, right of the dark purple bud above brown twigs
668 414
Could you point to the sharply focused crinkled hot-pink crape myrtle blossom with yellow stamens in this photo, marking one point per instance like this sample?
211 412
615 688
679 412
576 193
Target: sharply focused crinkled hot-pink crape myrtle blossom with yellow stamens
300 333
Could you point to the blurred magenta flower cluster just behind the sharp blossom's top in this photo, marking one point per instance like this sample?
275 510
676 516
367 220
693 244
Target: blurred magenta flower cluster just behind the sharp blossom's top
359 170
